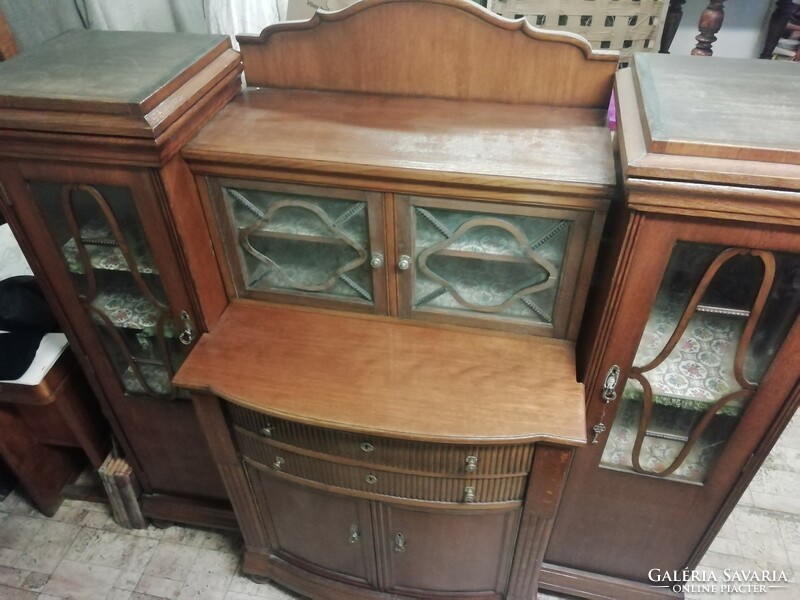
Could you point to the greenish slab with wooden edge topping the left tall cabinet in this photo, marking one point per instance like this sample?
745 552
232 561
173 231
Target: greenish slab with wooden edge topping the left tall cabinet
118 72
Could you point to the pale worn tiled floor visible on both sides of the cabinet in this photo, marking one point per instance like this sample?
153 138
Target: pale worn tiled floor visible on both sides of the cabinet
82 554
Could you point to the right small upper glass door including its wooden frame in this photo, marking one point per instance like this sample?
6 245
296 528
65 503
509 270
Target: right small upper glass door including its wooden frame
489 264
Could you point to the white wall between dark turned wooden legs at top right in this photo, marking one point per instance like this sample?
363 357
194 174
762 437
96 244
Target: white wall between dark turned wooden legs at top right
742 33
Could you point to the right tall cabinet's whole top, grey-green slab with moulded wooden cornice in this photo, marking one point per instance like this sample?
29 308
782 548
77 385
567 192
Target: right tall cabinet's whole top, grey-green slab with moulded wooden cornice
706 130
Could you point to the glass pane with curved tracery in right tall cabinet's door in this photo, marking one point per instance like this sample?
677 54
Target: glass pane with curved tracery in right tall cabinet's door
719 318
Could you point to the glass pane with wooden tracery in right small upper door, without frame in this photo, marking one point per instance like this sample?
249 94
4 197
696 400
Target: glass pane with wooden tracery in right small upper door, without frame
503 265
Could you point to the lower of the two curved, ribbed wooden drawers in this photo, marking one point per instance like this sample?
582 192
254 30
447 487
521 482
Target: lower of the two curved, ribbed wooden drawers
265 457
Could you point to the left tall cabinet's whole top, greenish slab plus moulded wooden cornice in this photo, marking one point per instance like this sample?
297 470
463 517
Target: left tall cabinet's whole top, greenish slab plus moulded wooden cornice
115 96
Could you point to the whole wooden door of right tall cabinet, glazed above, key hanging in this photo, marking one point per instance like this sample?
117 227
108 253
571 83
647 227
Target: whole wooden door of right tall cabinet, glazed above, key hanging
690 366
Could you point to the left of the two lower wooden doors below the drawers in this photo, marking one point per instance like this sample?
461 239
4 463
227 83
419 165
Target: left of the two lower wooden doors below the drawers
317 531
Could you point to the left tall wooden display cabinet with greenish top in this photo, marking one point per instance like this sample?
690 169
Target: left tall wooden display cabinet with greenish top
108 216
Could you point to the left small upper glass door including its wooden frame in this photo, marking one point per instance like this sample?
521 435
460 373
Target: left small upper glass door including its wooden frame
317 245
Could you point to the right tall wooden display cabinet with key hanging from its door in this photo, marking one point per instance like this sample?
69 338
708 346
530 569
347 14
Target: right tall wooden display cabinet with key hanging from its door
690 359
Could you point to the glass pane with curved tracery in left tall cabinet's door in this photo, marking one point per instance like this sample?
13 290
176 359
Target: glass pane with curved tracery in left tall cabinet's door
100 236
